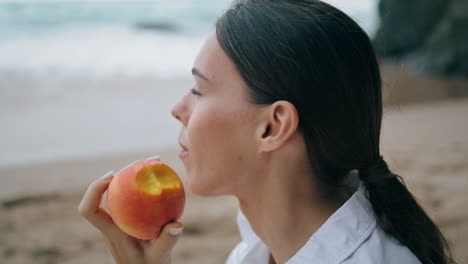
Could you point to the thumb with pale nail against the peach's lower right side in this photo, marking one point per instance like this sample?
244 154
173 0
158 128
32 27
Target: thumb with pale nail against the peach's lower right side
160 248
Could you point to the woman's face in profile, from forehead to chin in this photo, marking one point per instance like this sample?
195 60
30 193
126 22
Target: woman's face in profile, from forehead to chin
219 125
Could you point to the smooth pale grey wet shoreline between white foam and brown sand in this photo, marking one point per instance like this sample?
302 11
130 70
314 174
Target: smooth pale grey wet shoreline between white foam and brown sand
48 118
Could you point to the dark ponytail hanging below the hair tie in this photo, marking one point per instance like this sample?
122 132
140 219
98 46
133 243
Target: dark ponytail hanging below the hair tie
399 215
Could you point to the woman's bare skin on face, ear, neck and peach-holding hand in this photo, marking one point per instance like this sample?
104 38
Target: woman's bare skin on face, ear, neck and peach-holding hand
253 152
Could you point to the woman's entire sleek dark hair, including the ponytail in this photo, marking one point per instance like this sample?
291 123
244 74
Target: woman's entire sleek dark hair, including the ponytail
316 57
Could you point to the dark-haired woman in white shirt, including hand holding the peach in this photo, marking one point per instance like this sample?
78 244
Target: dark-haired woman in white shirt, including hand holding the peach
285 115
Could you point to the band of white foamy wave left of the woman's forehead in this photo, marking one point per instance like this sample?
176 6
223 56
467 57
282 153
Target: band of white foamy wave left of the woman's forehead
103 52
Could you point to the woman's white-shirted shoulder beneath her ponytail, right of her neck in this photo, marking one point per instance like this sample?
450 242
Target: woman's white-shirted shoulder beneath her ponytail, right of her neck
351 236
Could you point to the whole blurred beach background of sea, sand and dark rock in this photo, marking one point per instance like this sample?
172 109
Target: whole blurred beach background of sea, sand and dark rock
87 87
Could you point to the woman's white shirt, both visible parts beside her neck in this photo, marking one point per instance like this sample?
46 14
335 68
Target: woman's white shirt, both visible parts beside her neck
349 236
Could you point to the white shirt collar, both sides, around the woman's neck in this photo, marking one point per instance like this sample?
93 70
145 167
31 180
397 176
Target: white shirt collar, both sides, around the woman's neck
334 241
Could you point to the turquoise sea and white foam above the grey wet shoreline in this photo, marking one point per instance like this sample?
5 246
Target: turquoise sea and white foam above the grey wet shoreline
106 37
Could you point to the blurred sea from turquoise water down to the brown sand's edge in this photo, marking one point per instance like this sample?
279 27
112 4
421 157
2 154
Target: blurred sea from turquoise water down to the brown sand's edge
100 77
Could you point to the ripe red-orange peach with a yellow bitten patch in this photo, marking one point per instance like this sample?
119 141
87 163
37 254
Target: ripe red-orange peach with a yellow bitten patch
144 197
